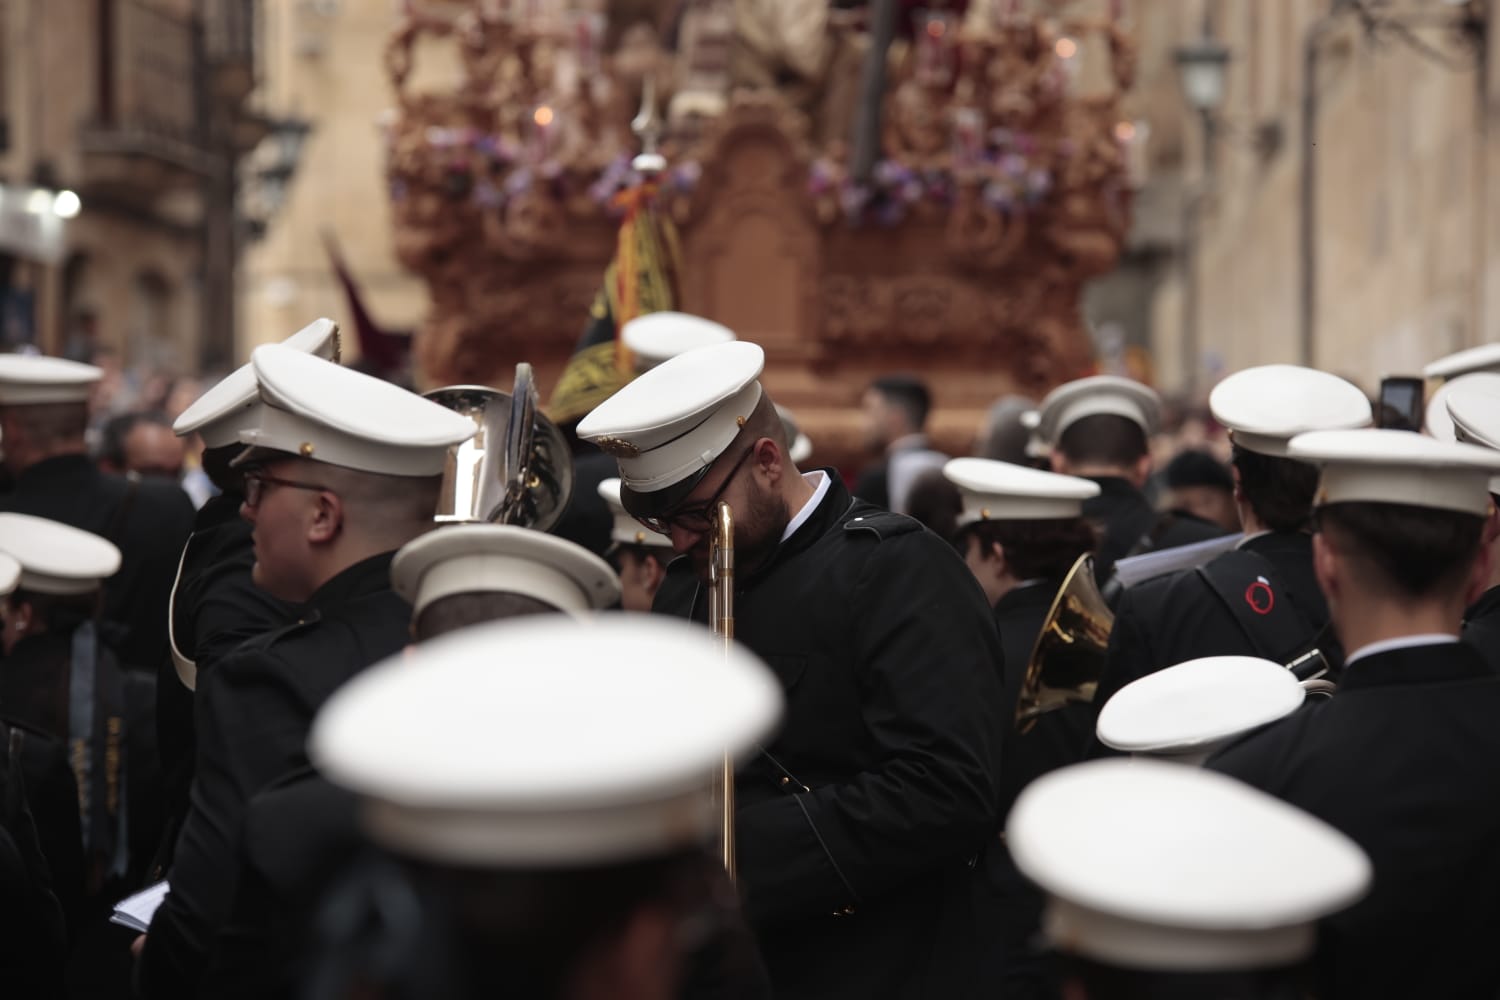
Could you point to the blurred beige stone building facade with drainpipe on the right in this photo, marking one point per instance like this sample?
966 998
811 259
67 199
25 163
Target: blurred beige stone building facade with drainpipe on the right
1340 209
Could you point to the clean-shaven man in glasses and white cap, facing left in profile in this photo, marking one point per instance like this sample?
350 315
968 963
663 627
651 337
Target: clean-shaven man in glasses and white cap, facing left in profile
343 472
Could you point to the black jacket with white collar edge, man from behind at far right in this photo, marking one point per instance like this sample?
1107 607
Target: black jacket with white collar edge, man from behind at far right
1406 761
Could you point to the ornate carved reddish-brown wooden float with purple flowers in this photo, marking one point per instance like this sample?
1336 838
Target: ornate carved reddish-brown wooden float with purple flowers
998 196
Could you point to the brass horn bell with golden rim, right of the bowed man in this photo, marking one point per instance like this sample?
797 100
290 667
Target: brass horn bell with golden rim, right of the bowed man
1070 651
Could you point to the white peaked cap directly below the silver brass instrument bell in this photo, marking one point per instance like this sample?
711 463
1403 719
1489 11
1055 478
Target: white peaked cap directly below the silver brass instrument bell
502 558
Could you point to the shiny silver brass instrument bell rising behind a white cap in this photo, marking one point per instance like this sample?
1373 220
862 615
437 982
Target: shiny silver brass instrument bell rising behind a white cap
517 470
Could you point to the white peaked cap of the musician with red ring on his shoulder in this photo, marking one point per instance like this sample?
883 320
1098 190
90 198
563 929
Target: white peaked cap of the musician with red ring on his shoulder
1267 407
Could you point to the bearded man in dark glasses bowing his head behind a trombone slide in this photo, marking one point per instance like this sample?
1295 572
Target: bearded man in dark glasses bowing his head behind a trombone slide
859 824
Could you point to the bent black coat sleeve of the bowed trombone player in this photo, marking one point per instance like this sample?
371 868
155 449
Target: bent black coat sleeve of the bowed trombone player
926 651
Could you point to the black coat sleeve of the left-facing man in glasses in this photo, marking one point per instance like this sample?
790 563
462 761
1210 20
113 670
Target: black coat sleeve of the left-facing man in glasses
253 725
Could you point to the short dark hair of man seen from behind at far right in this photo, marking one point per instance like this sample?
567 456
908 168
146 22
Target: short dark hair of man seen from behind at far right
1405 551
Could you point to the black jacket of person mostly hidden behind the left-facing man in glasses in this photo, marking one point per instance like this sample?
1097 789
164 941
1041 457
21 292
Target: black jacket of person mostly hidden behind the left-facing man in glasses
215 609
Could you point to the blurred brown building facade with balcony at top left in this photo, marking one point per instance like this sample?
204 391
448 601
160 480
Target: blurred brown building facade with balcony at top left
140 109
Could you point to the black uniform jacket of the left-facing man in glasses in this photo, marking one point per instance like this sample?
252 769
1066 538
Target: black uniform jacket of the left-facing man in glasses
254 711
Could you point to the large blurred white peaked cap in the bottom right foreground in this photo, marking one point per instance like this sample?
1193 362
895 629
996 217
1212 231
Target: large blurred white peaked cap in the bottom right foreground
1159 867
